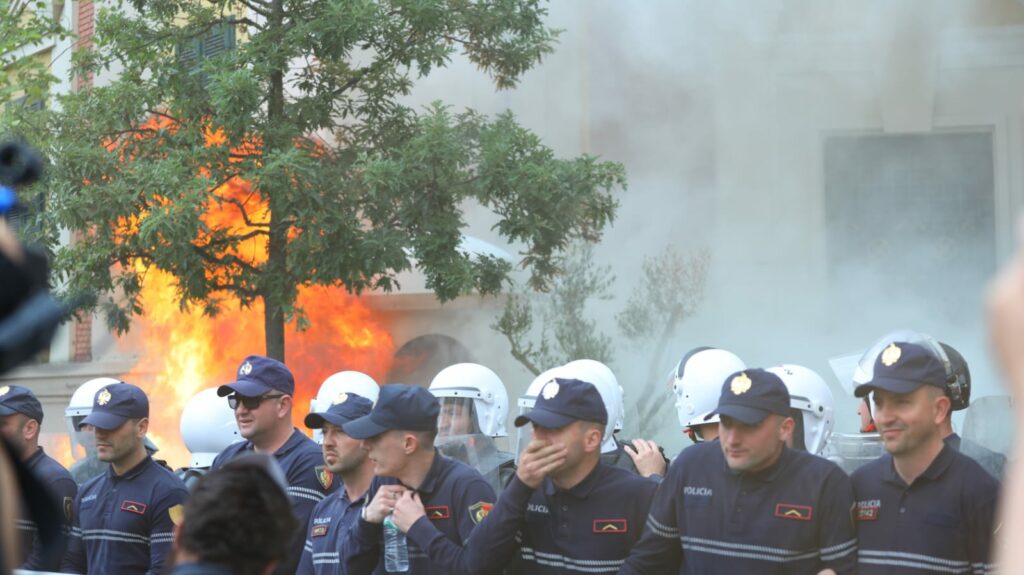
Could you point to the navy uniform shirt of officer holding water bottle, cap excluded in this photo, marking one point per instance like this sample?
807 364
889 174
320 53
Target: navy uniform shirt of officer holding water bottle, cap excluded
456 499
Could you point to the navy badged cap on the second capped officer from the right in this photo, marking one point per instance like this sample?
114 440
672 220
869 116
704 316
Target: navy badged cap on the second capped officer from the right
752 395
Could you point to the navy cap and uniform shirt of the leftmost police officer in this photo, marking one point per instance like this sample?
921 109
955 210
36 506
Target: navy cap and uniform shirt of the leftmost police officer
52 475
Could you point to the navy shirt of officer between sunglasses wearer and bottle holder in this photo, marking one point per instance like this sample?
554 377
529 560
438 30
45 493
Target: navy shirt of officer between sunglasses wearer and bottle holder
330 523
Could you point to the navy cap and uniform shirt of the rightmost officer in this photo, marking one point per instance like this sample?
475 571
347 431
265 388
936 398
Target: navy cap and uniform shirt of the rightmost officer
945 520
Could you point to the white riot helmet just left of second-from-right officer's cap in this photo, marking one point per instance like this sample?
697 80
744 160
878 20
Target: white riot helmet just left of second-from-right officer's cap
697 383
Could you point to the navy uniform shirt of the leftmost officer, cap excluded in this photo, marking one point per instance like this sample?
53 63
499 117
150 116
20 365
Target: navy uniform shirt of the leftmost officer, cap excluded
63 490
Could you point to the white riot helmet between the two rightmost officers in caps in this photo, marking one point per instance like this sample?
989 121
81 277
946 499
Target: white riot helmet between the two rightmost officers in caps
812 395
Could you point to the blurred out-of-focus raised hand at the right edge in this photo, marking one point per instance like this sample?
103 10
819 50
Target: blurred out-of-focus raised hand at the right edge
1006 321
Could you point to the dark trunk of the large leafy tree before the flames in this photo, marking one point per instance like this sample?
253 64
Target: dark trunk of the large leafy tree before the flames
276 279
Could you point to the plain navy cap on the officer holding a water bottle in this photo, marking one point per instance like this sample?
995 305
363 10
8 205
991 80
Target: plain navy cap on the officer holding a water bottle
399 408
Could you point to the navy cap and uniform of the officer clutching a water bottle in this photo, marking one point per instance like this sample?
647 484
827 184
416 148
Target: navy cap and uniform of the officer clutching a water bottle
456 498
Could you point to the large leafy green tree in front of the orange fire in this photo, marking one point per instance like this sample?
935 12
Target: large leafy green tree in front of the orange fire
252 147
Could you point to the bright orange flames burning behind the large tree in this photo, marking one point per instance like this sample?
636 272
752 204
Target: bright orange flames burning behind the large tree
186 351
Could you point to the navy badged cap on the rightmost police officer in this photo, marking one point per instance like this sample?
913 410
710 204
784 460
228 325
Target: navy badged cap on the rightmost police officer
903 368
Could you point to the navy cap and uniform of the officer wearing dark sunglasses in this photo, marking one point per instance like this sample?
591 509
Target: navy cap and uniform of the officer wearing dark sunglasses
309 480
